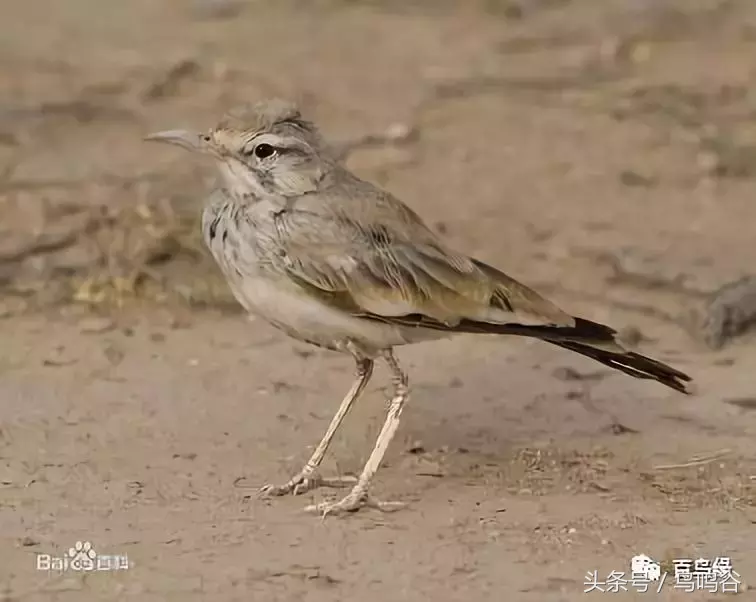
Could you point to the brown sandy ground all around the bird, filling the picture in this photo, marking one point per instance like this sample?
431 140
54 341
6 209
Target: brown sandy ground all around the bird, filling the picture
602 152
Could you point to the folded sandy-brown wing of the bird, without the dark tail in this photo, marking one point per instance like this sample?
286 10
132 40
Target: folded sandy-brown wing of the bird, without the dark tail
399 271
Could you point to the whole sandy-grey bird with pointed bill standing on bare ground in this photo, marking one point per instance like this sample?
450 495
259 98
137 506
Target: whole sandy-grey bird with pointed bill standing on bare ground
332 260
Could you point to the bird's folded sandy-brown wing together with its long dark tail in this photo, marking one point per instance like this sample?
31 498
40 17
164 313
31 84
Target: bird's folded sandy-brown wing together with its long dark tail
400 273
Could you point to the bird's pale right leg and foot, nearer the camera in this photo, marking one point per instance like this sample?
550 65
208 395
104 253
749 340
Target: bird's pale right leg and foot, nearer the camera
359 497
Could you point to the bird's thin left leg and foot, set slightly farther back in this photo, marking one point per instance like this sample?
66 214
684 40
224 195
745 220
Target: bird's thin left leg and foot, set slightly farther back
307 478
